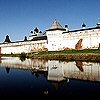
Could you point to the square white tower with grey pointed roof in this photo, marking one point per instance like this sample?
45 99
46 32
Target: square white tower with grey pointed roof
55 37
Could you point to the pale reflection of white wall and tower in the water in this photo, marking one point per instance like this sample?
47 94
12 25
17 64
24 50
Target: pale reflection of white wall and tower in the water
55 70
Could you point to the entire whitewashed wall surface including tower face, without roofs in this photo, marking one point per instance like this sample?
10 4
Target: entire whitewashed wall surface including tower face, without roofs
56 41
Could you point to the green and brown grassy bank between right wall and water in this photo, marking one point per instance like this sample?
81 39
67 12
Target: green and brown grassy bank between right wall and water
69 55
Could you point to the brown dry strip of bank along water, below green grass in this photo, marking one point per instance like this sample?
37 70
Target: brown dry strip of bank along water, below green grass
70 57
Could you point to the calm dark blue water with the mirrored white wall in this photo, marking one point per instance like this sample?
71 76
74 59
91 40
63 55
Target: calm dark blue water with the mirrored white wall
49 79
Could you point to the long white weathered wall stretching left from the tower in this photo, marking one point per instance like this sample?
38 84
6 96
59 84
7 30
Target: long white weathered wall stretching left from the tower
26 46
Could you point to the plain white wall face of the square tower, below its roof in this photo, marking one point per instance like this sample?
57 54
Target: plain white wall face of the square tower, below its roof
55 39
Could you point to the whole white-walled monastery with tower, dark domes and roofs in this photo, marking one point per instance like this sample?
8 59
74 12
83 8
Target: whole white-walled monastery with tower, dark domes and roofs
56 38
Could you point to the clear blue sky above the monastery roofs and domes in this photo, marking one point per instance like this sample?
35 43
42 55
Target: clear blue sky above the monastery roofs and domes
19 17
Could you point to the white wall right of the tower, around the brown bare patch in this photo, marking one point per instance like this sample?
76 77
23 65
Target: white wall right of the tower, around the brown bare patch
91 39
